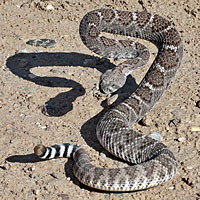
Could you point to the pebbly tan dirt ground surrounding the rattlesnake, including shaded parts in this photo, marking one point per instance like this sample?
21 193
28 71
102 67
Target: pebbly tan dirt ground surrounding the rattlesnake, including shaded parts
49 96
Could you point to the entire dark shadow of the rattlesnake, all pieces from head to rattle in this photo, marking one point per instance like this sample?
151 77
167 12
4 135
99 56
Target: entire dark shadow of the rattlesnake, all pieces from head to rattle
21 65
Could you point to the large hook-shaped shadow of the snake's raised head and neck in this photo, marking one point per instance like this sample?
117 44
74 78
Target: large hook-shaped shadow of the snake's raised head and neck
22 63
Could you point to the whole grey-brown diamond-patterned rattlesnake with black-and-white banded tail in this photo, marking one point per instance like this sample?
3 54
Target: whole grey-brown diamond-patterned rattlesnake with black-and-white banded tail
152 162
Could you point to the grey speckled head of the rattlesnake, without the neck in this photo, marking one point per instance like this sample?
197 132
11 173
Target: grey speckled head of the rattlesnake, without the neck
111 81
